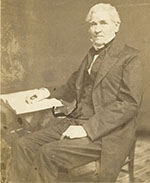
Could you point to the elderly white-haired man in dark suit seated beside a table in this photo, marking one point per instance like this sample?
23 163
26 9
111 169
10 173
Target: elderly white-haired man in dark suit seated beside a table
104 96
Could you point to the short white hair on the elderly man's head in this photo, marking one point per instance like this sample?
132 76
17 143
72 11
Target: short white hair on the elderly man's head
104 7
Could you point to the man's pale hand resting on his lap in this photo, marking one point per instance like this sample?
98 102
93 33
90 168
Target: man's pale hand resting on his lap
74 131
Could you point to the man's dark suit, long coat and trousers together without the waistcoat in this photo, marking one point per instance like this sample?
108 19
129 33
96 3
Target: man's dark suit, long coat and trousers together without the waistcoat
116 96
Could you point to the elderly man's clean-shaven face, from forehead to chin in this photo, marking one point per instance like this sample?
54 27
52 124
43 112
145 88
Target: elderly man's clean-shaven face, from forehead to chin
102 29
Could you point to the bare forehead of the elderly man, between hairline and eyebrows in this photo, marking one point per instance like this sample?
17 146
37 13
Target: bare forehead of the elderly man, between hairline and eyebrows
101 16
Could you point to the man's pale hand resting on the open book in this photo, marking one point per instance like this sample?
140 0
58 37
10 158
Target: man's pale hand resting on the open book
37 95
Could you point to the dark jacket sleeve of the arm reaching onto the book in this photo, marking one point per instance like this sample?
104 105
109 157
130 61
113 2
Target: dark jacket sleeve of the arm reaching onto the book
65 92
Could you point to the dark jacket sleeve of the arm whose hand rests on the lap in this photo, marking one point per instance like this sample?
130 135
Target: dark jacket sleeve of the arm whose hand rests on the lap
125 108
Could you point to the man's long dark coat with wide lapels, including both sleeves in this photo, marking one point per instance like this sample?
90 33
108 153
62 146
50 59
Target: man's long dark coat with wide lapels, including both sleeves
116 95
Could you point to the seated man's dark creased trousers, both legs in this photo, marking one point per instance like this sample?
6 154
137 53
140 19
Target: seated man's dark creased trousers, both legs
36 157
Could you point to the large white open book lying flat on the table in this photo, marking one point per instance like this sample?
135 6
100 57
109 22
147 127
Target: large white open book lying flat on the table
18 102
